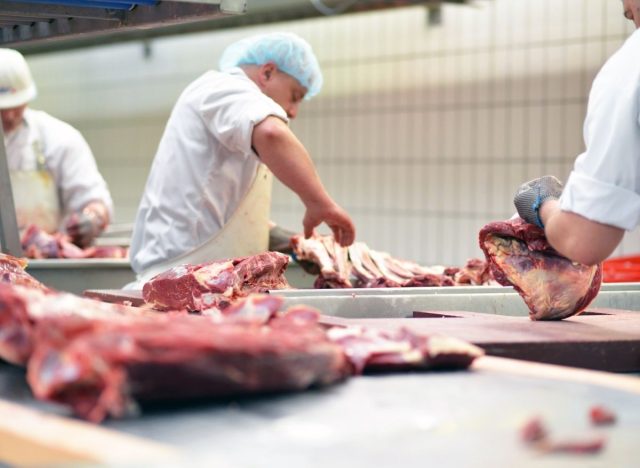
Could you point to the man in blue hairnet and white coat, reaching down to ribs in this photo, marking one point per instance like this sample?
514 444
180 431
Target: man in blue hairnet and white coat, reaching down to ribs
208 193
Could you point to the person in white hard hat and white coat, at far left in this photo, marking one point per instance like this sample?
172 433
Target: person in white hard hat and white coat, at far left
54 178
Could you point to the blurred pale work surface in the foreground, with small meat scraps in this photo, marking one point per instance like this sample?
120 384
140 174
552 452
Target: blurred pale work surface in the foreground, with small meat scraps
409 420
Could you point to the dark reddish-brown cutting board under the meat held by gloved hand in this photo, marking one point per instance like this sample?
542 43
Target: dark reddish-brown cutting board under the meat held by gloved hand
602 339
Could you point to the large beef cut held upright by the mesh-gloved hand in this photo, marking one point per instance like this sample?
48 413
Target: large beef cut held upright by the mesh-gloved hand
552 286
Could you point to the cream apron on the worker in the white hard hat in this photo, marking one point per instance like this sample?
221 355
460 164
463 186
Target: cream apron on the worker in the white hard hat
36 196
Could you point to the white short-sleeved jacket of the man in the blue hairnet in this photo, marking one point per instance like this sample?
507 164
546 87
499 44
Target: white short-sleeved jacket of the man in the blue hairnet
203 167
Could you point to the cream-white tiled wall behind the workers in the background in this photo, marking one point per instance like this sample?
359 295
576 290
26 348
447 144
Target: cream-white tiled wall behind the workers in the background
421 132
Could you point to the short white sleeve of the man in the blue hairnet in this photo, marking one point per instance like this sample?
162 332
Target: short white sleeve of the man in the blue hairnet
232 115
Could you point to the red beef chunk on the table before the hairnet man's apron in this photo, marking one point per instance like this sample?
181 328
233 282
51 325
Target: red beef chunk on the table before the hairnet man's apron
214 285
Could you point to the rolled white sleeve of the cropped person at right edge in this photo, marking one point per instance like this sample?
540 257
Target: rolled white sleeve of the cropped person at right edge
604 185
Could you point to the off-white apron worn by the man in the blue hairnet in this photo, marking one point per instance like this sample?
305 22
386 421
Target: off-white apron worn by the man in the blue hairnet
246 232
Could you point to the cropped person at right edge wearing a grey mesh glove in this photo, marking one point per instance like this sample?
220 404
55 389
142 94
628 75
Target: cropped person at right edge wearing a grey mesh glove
586 219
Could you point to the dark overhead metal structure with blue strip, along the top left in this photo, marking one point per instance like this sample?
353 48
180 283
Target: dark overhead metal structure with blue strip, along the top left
37 26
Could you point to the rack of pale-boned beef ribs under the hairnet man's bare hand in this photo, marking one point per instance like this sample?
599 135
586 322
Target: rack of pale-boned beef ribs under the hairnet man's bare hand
361 267
